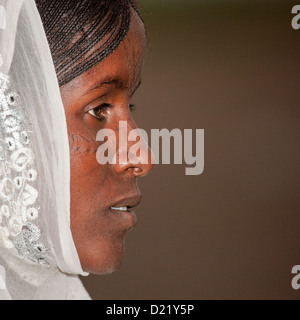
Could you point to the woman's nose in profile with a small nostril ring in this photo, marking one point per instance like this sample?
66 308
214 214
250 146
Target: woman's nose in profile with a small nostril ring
133 153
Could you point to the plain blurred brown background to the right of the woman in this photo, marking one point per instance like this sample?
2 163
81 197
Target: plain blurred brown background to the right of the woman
233 69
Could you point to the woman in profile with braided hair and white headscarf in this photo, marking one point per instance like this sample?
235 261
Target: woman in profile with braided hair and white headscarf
62 213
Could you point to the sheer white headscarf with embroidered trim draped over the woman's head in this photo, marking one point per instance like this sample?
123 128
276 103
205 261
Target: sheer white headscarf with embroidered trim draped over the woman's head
38 258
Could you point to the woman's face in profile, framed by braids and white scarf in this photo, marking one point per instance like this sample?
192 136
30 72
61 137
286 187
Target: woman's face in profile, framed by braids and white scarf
99 99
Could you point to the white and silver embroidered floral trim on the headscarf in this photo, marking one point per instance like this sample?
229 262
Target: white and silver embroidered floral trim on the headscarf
18 194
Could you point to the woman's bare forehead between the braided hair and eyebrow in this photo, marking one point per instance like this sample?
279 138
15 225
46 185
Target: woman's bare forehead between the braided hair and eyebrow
124 64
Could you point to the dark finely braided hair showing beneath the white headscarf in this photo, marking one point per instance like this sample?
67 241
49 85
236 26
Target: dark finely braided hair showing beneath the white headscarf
82 33
